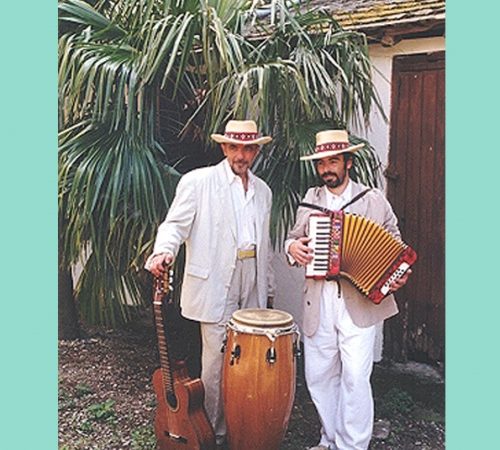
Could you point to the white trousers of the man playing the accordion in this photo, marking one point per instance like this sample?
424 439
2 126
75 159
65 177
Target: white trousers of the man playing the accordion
338 365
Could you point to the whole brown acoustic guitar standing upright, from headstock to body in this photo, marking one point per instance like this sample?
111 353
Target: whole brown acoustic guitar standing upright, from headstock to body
181 422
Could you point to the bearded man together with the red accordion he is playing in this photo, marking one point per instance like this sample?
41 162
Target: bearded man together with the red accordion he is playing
340 312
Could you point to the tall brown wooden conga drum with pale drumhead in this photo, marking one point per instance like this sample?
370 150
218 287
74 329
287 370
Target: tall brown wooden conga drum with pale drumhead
259 377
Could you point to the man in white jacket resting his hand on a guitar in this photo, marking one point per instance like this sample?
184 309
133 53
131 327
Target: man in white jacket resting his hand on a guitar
222 214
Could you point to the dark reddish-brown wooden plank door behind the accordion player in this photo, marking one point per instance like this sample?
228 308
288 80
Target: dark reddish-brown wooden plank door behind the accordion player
416 183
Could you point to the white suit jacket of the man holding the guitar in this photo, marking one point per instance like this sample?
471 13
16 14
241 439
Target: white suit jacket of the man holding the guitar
202 216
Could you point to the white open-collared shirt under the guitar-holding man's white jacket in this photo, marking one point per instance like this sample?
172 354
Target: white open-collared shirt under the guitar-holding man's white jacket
244 207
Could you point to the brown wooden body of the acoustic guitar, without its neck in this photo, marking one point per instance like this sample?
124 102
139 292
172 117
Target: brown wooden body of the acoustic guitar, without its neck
186 426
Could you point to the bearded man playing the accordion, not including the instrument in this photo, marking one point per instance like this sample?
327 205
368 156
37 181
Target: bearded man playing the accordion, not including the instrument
339 321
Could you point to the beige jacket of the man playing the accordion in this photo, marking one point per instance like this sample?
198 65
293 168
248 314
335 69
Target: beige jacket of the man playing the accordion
363 312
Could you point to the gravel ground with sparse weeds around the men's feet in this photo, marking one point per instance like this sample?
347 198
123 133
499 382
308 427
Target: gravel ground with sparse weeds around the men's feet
106 400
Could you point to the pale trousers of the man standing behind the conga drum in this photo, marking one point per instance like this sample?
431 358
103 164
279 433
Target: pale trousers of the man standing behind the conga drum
242 294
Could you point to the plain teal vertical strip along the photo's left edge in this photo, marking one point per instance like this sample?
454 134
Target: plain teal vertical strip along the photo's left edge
28 186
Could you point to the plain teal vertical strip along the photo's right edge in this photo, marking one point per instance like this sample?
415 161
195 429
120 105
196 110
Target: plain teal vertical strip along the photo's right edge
472 180
